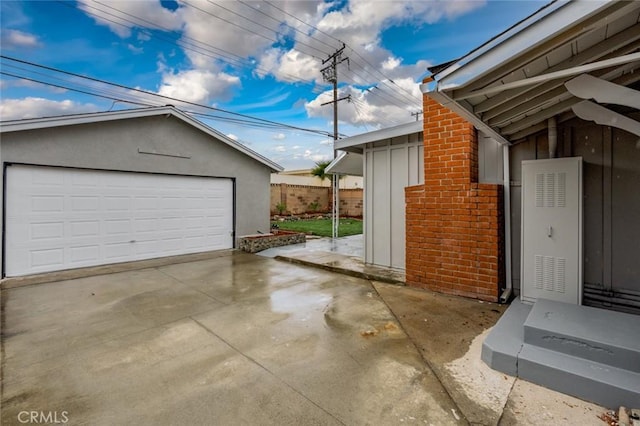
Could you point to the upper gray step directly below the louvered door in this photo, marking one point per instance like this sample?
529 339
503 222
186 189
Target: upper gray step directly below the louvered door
606 337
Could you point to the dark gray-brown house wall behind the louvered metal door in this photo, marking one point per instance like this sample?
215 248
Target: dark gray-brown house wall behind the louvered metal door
611 205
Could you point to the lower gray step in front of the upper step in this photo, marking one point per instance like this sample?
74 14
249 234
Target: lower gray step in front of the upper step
585 379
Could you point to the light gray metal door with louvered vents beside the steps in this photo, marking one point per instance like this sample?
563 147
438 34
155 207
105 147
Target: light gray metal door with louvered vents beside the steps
552 229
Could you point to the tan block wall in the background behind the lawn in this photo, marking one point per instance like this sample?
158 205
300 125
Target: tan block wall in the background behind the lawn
298 198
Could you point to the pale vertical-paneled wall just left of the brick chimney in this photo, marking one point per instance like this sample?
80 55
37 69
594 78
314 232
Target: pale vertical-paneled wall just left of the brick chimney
390 165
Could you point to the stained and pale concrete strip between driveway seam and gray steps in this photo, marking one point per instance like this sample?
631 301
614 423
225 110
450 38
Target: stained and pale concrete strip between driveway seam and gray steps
449 331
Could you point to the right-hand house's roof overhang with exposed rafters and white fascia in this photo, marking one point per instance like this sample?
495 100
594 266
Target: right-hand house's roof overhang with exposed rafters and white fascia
509 87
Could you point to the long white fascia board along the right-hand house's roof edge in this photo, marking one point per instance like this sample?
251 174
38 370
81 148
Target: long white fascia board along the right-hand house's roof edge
531 32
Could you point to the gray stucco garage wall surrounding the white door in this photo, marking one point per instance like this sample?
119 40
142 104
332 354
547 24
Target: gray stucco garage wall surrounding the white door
157 144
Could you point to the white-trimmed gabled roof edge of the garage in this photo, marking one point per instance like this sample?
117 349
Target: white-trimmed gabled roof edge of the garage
100 117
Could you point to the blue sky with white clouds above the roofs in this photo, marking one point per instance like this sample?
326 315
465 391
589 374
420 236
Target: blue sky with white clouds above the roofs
261 59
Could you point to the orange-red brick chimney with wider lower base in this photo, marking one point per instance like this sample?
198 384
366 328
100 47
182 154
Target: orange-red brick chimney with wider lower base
453 224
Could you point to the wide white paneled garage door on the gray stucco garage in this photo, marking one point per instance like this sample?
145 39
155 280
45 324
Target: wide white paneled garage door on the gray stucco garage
59 218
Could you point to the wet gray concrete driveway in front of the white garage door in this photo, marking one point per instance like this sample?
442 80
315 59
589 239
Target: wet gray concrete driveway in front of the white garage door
236 339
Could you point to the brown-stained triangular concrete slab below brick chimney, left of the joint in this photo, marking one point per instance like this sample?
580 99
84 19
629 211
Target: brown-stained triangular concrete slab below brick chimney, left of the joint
444 328
